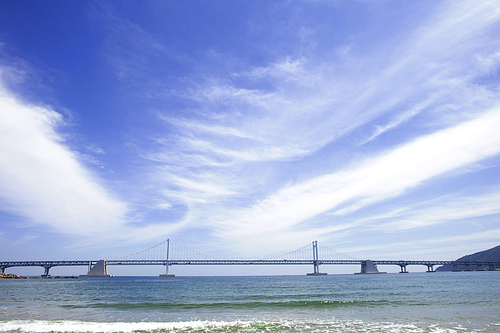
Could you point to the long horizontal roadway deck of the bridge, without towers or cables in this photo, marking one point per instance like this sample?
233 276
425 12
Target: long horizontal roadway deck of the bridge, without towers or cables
47 264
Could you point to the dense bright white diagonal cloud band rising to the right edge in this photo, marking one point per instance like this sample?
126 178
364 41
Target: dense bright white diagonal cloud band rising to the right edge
373 180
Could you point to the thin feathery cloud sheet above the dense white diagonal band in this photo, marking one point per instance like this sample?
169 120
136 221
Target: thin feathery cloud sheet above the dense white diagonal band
313 101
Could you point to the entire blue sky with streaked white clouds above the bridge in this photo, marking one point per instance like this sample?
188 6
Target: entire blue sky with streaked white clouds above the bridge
248 129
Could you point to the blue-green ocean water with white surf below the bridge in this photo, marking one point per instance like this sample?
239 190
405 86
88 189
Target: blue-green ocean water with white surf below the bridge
415 302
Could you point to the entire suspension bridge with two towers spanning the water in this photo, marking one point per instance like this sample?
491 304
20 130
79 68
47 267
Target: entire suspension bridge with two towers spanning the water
168 253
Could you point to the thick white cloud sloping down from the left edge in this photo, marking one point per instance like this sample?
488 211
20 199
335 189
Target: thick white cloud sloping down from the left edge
43 180
